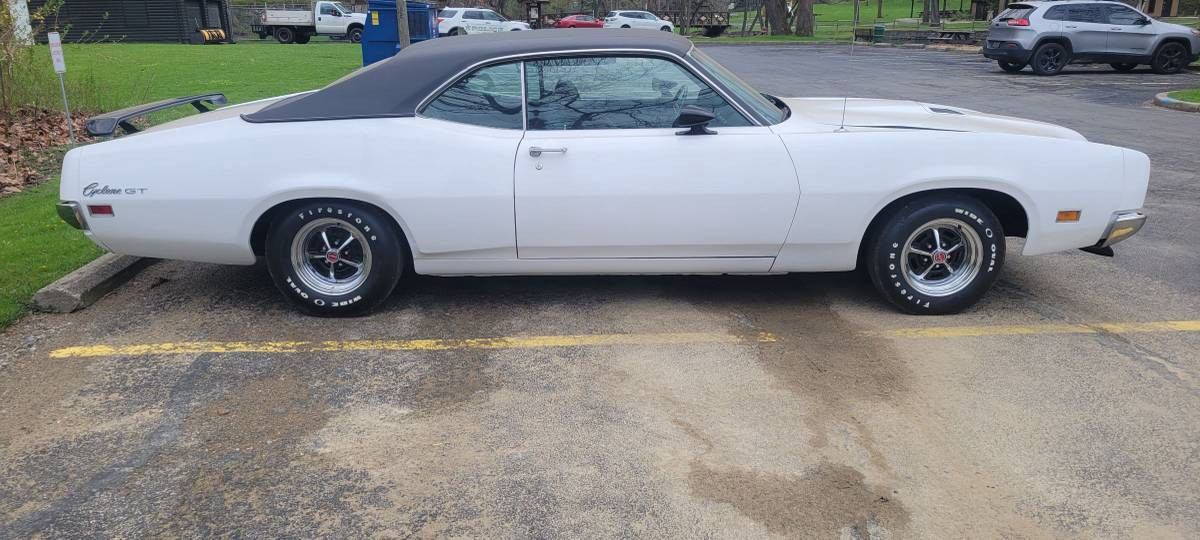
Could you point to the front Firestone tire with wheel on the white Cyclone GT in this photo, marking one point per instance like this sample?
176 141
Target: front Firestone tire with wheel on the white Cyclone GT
937 255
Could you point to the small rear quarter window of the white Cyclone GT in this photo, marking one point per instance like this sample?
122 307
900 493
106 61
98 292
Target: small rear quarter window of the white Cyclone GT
489 97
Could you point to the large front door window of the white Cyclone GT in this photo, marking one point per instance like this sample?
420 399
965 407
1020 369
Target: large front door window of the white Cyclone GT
617 93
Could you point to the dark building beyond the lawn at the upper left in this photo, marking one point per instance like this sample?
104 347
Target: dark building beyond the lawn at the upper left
139 21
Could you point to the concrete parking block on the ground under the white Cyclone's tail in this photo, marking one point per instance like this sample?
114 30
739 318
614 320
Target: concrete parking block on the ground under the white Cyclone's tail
89 284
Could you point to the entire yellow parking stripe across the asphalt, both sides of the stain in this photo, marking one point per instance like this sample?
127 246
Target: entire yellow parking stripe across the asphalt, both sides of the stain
595 340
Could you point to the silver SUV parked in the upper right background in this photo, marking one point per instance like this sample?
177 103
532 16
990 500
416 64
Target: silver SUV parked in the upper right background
1048 35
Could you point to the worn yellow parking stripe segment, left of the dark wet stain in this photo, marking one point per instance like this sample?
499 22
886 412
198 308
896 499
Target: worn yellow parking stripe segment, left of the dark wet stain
199 347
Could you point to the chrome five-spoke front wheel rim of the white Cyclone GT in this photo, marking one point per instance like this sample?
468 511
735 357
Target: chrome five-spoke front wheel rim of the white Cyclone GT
943 257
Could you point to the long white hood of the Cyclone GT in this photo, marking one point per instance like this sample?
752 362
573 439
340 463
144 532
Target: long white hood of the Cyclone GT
897 115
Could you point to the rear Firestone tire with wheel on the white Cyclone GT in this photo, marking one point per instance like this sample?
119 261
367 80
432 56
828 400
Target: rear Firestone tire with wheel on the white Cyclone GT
335 259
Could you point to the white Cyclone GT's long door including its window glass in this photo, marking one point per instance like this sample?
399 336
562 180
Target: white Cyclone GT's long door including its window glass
603 173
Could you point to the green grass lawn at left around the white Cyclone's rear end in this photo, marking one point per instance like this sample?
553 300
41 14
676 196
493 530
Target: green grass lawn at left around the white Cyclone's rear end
112 76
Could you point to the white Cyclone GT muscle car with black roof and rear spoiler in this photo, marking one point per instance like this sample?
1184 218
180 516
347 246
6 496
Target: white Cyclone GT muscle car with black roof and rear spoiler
615 152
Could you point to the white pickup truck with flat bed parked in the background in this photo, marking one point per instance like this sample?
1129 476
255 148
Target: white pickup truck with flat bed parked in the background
299 26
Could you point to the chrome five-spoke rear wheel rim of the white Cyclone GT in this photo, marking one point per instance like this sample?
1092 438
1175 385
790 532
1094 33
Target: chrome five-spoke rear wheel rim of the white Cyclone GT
331 257
